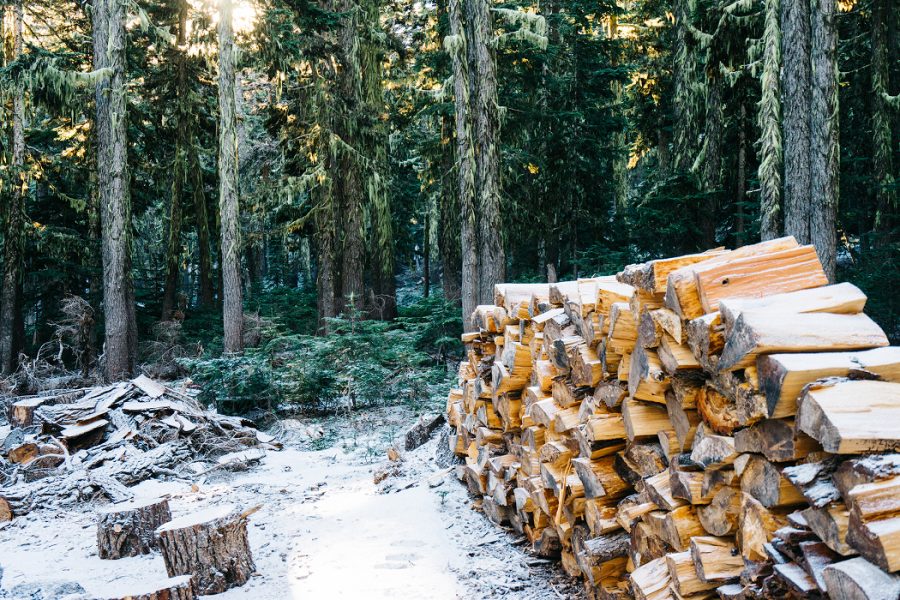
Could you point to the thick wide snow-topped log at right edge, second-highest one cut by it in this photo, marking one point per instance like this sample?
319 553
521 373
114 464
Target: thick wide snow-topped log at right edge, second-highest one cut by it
849 417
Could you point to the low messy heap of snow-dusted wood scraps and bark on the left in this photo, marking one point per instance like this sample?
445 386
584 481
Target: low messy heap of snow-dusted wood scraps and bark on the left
73 445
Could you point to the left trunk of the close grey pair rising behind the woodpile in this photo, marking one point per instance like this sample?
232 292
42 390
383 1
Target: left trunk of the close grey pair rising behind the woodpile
797 85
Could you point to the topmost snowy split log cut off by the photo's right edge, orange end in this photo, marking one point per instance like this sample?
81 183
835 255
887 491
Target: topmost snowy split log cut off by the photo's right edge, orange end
782 376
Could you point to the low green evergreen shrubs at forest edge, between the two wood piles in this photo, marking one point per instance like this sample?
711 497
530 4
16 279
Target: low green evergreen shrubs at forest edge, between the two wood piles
358 363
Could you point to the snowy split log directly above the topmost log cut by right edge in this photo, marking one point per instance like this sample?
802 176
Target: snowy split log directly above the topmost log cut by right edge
758 333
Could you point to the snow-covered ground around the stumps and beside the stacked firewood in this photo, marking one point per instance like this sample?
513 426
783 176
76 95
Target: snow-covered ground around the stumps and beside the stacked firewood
325 529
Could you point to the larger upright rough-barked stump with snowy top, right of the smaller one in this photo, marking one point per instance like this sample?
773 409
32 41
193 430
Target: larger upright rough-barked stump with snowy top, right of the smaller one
211 545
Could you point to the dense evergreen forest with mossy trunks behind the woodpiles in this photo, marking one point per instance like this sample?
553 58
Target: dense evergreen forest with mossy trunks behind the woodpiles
296 201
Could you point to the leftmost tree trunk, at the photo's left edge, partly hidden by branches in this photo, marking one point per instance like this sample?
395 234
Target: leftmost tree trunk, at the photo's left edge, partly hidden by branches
13 251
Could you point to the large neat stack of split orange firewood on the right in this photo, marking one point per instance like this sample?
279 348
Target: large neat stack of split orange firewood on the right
719 424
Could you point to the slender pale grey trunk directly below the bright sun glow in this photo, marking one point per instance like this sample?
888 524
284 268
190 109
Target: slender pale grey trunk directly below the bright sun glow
230 256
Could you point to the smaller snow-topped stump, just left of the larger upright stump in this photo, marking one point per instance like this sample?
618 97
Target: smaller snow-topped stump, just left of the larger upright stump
128 528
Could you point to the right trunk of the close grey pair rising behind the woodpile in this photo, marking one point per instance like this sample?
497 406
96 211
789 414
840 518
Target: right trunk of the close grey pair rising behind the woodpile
825 156
